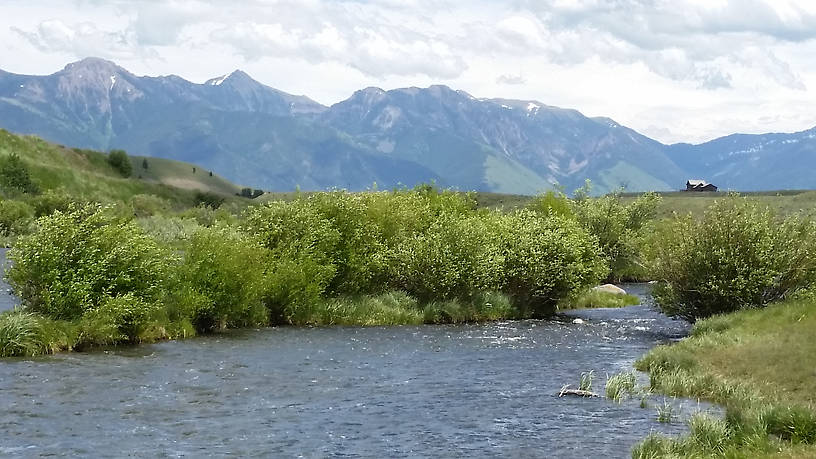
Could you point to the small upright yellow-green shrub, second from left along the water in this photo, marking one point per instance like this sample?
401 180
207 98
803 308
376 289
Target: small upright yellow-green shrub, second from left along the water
226 269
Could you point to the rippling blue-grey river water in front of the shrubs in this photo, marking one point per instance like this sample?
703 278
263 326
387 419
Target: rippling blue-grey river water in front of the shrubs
486 390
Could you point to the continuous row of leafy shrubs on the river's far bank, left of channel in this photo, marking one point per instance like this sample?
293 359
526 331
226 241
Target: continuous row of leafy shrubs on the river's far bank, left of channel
409 256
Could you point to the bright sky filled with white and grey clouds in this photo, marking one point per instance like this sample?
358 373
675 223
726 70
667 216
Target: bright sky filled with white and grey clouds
675 70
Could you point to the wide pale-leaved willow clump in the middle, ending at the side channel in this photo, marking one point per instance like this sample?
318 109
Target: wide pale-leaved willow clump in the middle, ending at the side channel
431 245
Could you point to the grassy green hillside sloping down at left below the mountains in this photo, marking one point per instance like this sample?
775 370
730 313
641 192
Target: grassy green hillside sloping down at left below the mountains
87 174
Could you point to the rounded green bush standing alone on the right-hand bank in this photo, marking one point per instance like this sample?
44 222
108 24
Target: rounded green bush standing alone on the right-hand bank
738 256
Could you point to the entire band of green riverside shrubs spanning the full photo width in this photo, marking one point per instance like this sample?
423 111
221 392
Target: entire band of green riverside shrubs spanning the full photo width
130 273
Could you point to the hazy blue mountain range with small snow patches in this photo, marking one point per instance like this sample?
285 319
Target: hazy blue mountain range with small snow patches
265 138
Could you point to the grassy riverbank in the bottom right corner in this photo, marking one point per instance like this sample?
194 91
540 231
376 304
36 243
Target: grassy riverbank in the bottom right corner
760 365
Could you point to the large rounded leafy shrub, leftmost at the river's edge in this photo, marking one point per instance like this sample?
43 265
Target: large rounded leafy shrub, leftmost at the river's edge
74 261
